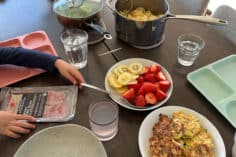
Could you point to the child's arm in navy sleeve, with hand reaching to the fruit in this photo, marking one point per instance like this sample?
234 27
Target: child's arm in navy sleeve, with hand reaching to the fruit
36 59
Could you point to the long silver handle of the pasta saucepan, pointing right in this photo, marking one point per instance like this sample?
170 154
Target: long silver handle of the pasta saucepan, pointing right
203 19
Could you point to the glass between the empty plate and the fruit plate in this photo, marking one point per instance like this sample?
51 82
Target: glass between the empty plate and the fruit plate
103 119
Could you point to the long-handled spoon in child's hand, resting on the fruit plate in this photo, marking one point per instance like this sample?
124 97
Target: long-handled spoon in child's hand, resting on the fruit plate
113 94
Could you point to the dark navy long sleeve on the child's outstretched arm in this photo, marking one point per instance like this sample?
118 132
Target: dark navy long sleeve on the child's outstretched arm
27 58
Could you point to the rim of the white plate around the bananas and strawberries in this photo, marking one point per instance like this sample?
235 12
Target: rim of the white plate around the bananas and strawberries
135 60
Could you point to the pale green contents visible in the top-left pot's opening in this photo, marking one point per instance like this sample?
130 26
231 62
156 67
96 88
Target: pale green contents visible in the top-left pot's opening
87 9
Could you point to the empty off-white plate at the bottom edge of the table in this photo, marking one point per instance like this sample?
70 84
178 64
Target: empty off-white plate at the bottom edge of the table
62 141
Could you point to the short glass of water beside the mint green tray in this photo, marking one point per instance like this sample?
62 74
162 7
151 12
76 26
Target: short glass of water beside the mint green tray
189 47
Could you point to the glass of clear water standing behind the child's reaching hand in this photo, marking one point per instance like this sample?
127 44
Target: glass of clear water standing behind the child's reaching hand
76 46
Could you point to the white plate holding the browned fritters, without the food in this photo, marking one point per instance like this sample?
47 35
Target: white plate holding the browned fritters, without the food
145 131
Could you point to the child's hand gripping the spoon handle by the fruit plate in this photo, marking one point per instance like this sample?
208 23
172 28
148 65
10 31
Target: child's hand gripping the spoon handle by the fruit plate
69 72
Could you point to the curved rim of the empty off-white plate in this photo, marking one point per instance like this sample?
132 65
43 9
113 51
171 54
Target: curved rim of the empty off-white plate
61 126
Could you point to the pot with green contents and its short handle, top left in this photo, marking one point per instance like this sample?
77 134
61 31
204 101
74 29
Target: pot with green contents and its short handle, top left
80 13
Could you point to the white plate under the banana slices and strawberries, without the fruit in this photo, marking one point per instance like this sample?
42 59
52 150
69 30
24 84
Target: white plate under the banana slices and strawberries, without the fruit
145 62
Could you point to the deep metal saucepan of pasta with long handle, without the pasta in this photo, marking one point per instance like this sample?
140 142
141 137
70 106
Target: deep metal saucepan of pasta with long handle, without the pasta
147 33
